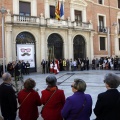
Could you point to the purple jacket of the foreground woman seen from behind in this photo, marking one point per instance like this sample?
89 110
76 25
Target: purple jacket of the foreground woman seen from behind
74 104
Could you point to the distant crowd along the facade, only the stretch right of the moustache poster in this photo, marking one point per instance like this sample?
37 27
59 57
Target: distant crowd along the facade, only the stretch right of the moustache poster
103 63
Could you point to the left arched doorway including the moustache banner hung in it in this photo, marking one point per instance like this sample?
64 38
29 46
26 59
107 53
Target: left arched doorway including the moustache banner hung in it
25 49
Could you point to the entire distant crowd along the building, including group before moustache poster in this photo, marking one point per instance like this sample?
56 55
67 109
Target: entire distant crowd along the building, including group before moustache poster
54 66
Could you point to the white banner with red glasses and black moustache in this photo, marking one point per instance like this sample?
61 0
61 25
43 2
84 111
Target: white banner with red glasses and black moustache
26 53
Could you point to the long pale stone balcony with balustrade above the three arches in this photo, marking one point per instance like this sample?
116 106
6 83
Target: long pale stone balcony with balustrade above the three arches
41 21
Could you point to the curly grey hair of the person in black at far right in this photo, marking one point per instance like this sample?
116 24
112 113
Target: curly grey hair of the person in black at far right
112 80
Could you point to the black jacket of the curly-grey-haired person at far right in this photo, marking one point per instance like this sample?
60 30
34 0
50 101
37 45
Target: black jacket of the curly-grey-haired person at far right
108 105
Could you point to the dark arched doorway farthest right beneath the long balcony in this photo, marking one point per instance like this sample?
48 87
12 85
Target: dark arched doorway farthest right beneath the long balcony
79 47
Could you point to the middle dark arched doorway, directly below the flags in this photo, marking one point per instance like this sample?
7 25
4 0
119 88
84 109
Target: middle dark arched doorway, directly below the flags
55 46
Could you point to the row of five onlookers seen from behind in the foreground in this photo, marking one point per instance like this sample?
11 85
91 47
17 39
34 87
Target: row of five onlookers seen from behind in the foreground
55 106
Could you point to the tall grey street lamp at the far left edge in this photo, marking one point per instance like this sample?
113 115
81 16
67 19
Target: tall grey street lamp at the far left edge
3 11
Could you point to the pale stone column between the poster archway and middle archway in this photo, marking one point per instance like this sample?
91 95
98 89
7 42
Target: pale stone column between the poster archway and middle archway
42 43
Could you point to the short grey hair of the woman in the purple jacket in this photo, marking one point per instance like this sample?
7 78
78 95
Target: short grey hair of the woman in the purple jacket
79 85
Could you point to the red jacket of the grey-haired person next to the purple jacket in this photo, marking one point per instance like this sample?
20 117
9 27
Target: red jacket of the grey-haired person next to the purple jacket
52 110
